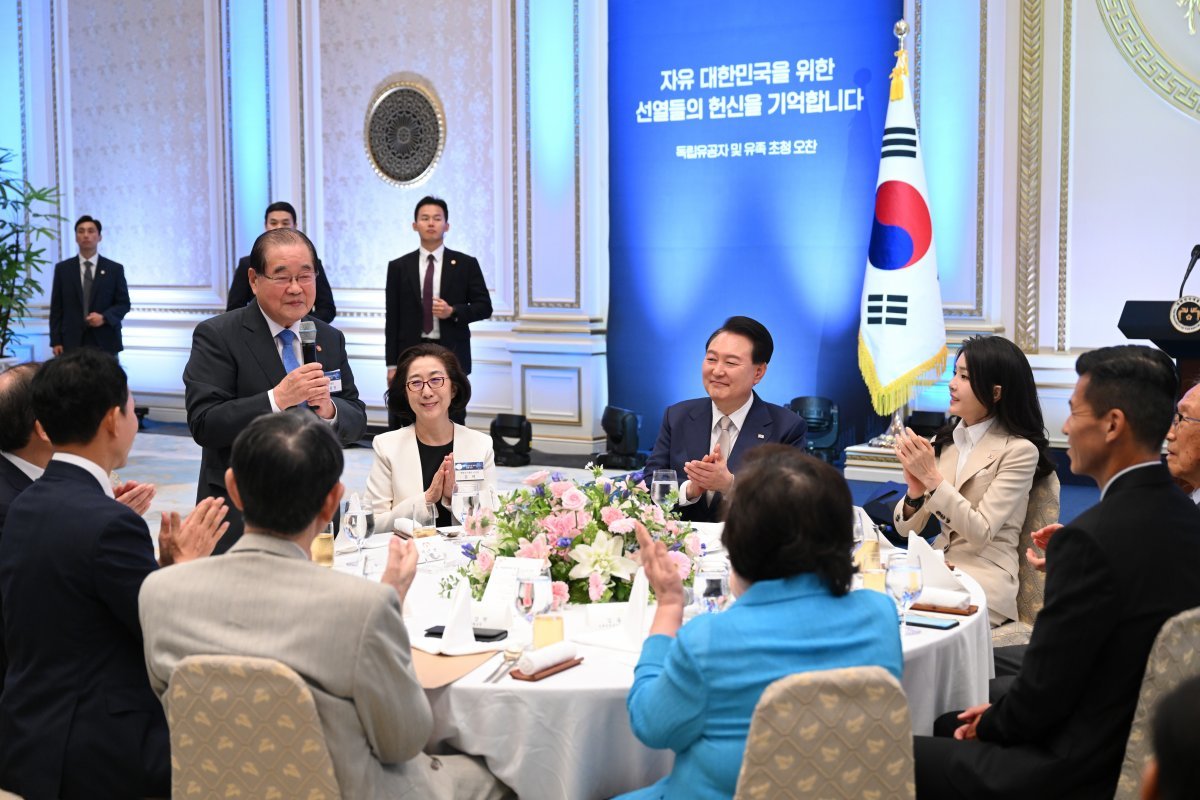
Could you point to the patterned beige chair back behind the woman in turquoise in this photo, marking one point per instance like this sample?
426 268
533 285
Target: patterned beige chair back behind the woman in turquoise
835 733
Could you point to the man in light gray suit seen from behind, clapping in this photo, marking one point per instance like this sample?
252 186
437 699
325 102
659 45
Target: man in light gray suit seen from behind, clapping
343 635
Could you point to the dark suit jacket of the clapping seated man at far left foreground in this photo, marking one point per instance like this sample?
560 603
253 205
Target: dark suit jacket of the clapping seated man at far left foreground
79 718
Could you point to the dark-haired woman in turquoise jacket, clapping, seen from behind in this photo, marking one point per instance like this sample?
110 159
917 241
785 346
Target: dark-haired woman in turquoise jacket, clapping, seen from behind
789 536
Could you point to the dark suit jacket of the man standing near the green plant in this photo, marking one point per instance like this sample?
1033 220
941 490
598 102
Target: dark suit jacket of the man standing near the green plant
110 298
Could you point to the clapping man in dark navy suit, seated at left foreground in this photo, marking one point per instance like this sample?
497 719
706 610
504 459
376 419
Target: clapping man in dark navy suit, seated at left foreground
77 717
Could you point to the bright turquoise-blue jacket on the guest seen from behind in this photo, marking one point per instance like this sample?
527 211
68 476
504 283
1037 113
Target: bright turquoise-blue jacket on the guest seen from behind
695 694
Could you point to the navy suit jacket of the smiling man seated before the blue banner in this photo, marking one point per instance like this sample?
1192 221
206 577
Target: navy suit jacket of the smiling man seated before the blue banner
688 430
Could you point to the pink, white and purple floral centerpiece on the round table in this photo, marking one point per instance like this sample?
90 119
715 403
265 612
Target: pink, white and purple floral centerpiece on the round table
584 531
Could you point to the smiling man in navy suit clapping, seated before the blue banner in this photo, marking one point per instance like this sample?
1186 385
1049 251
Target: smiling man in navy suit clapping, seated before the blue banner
704 441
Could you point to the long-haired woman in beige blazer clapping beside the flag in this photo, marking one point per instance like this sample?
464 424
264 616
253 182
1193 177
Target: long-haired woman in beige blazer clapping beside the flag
975 477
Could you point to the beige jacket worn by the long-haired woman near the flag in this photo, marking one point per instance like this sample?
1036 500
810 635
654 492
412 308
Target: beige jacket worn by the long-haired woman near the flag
982 512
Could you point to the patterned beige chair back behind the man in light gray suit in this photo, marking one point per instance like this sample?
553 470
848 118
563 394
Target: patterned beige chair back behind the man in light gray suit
244 727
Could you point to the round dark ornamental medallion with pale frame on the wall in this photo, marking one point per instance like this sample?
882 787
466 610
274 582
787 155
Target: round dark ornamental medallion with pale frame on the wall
405 134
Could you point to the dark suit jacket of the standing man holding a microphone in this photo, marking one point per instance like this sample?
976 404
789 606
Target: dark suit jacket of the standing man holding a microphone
235 363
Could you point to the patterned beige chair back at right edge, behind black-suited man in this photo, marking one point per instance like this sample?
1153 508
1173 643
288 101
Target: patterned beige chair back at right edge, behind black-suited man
1174 659
